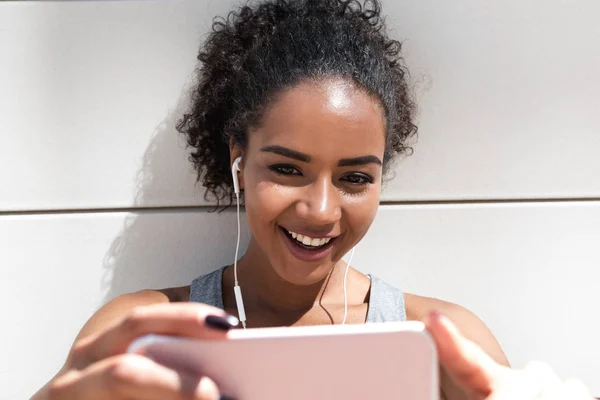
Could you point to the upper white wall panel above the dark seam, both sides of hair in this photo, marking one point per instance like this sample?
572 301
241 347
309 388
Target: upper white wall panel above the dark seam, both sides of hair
91 91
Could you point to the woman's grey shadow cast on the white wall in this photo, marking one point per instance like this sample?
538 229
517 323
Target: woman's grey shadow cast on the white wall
168 247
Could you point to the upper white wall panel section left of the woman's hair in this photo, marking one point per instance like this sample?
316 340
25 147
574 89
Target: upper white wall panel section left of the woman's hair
90 95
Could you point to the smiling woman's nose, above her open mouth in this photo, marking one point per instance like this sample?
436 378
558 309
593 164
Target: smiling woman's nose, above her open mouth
321 202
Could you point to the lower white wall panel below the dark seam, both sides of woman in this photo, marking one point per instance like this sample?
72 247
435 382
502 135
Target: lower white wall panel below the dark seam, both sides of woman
529 271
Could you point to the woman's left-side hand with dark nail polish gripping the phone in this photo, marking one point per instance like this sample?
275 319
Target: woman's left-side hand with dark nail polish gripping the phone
99 368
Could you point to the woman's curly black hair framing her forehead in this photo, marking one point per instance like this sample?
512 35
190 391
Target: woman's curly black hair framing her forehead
264 47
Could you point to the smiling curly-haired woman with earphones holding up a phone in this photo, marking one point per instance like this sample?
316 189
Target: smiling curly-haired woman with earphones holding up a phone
311 96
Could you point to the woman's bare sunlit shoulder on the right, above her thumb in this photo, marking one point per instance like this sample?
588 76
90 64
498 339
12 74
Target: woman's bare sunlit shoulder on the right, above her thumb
418 308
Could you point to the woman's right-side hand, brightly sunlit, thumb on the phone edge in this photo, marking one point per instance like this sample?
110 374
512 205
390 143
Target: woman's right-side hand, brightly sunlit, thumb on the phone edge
482 378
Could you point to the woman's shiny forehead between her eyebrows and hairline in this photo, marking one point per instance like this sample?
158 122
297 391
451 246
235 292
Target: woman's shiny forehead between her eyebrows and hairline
326 119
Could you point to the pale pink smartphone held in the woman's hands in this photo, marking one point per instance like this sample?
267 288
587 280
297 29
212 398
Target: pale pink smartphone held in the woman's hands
396 360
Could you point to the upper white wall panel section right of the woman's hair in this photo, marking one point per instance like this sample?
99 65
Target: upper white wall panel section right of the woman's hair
510 99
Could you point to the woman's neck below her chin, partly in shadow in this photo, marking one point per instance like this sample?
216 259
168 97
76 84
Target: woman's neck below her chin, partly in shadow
265 291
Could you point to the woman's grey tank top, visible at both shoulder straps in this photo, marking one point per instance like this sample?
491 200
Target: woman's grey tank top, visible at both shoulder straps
386 303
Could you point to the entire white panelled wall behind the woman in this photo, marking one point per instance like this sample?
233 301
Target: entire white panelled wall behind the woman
91 168
